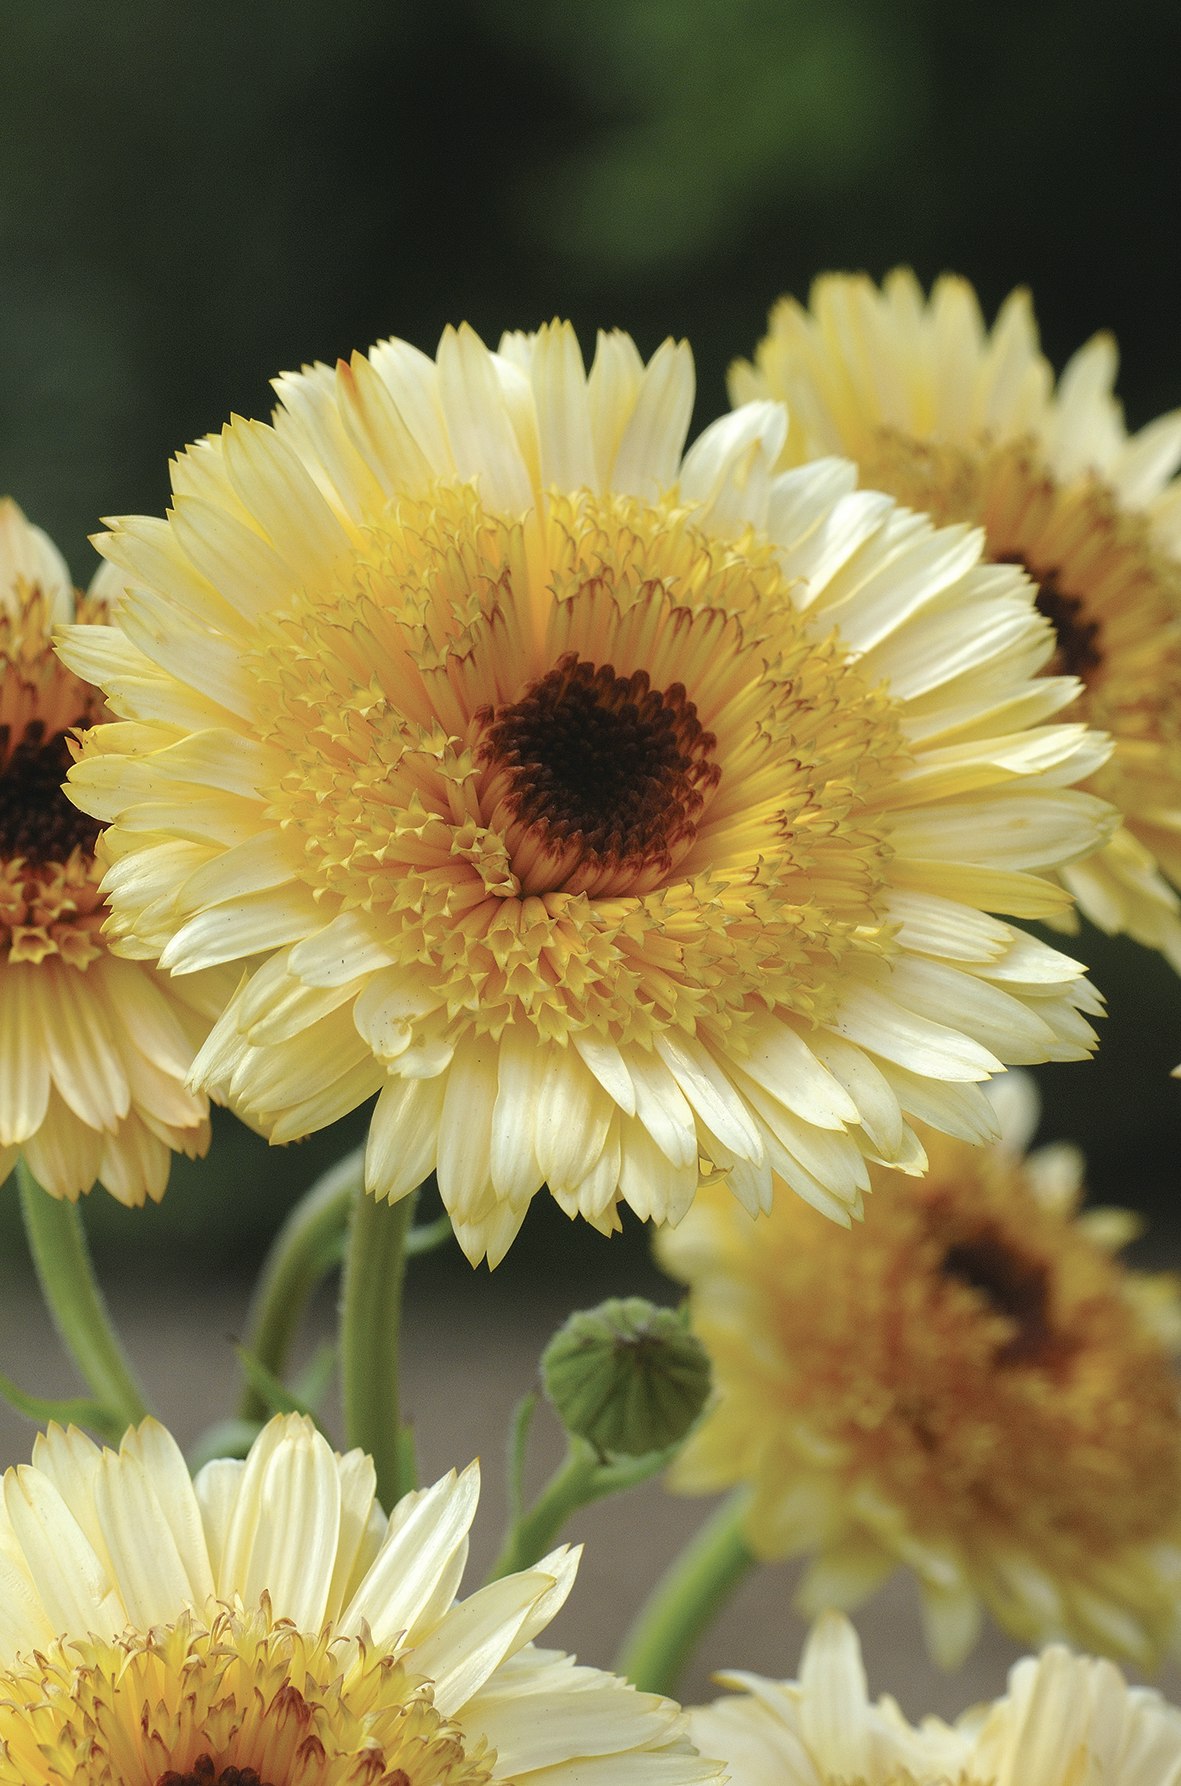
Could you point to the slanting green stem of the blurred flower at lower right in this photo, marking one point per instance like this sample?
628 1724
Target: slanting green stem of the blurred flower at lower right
687 1601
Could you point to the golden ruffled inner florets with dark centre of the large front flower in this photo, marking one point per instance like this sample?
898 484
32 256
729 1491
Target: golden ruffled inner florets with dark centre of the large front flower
592 771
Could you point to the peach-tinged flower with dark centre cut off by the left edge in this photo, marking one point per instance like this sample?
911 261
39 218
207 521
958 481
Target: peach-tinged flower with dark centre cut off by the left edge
94 1051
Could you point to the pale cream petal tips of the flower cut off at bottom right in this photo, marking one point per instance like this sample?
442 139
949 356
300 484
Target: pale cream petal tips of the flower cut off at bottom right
1066 1721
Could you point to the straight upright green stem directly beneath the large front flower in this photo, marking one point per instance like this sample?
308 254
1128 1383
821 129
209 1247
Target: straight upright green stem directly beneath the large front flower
371 1335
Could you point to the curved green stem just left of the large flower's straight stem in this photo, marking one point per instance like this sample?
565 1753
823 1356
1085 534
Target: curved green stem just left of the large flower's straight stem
305 1251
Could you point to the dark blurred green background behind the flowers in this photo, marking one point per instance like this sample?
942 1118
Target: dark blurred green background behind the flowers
194 199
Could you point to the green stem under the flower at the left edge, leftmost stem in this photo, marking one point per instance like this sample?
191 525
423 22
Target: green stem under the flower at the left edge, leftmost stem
71 1289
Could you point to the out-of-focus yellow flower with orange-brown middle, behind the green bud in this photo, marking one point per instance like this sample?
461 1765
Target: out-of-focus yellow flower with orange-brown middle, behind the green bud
971 1387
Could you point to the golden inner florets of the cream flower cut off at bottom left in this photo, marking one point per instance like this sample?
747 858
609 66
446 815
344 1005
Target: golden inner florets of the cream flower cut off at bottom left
240 1701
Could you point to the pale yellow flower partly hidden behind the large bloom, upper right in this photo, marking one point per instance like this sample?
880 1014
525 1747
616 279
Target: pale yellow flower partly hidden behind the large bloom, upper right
967 424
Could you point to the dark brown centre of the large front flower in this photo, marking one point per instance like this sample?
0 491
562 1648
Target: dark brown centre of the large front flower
601 778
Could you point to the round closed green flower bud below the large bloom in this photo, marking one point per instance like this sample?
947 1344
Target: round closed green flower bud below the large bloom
628 1376
